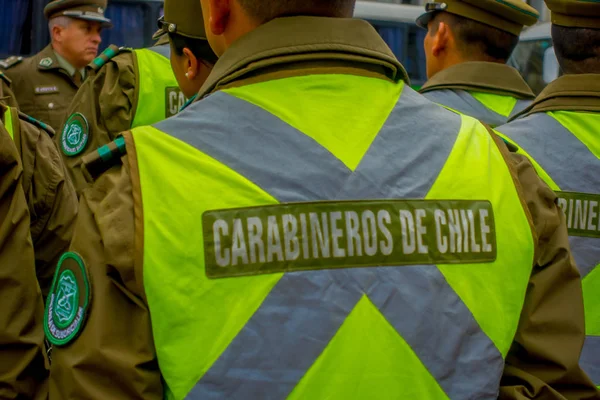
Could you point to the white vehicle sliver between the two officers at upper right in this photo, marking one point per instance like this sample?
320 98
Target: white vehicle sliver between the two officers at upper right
534 57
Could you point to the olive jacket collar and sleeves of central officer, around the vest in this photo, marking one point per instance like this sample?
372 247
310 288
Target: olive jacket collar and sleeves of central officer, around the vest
117 338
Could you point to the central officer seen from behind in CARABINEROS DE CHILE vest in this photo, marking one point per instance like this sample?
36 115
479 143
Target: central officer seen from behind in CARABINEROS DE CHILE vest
262 244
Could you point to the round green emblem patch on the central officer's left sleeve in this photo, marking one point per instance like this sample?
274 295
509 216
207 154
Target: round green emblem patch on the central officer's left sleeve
68 301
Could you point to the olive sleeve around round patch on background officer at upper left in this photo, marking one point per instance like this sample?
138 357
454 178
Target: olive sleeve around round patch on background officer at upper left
106 102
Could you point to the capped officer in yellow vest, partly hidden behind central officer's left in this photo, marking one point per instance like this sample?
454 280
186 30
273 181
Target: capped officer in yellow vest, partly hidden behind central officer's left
135 87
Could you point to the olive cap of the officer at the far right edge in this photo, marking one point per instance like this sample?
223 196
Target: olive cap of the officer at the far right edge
575 13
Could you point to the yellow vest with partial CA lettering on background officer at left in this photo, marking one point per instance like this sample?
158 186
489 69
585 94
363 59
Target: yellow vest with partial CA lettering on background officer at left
159 96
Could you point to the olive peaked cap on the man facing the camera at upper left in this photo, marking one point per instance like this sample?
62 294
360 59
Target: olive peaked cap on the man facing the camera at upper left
89 10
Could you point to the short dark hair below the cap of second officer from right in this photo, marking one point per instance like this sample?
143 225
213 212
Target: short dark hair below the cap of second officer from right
477 40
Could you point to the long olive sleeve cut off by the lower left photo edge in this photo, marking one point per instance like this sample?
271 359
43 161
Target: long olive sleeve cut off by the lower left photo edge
23 370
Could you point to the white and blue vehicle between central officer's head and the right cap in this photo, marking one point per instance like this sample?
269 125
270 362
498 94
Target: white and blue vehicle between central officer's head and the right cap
396 25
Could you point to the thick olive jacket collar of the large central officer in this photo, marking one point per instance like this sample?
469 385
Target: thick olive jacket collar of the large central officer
292 39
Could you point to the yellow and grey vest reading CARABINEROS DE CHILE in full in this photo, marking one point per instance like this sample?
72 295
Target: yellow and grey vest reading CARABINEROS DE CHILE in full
330 236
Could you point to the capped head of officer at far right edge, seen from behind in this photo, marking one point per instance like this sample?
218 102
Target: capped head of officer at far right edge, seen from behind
576 35
